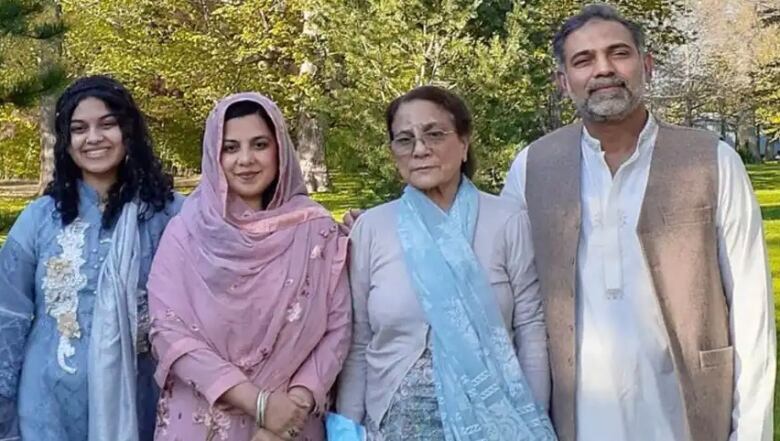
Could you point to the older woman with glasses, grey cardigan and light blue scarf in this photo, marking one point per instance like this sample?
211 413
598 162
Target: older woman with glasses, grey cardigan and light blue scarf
449 340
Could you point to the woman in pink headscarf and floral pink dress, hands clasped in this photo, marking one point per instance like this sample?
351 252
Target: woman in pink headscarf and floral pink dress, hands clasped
248 292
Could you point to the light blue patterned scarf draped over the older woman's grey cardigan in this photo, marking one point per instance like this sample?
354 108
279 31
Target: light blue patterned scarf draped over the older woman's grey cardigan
482 391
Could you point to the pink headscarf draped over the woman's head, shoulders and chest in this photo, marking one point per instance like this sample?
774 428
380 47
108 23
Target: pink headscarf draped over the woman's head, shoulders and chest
251 286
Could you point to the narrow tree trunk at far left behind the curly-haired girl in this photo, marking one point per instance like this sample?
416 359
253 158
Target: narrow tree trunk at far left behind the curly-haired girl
46 113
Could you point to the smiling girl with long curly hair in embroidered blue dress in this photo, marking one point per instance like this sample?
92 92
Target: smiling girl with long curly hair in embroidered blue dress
74 355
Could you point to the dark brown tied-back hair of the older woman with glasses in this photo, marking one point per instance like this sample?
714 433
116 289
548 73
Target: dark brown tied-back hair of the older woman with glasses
453 104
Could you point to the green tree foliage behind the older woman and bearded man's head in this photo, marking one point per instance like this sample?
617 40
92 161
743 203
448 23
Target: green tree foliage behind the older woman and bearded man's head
495 53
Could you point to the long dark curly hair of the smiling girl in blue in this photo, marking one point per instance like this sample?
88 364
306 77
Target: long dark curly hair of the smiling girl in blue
139 175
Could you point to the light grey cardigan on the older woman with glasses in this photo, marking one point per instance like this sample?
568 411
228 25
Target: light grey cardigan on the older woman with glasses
390 328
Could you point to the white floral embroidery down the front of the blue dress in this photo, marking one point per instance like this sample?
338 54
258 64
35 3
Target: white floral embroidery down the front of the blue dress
61 284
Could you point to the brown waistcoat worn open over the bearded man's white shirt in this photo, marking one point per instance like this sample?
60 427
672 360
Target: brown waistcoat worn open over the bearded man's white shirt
677 232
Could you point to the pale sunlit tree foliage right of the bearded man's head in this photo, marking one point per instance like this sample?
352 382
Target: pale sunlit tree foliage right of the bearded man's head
726 72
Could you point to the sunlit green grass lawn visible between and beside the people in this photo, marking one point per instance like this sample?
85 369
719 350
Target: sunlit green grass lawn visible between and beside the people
351 191
